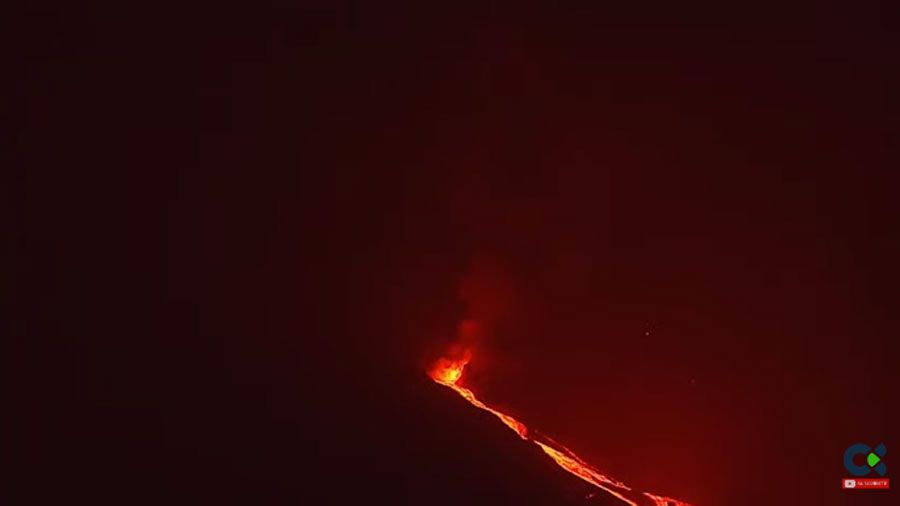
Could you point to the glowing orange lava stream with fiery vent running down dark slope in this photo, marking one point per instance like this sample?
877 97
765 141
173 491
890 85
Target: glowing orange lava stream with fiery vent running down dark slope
448 372
